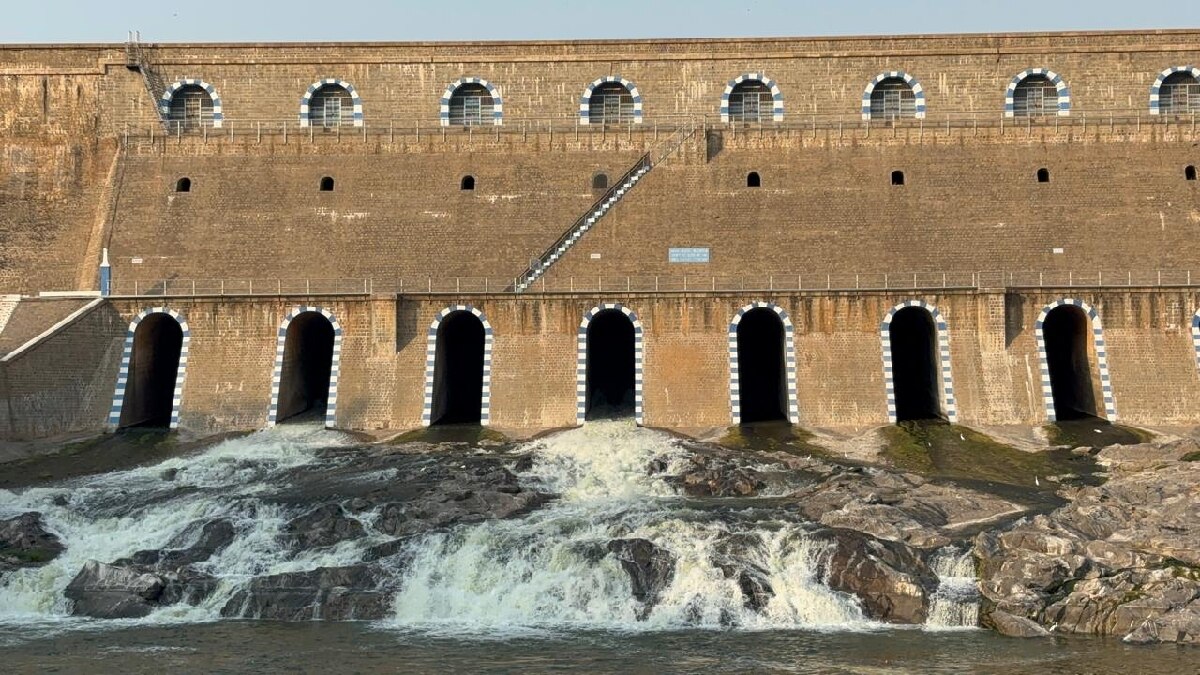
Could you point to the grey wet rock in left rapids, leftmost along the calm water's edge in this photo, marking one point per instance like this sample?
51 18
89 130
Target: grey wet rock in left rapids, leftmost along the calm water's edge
130 592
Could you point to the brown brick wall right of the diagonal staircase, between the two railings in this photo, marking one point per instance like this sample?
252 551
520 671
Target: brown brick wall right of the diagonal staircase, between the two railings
831 208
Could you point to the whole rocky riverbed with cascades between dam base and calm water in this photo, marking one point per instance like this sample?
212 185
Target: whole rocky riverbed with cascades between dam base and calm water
621 527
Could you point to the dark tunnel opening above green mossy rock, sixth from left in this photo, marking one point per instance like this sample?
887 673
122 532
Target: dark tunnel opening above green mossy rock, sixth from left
915 365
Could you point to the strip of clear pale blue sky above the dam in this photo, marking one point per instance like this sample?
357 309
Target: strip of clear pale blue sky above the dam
196 21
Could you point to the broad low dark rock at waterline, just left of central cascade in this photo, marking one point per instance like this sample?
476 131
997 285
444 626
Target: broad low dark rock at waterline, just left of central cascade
329 594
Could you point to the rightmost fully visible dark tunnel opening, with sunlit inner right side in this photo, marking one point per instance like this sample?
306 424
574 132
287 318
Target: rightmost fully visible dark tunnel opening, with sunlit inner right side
1066 332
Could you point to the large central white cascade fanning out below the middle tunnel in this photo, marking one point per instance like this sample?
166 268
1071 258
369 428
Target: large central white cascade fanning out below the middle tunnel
553 569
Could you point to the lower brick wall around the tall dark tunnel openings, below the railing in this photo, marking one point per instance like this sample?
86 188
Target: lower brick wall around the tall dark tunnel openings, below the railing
839 356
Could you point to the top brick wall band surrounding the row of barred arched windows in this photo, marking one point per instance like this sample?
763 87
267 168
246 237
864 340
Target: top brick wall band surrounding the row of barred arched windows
545 80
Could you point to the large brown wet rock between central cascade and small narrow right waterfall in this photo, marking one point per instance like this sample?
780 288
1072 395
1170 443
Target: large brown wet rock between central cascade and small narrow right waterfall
890 580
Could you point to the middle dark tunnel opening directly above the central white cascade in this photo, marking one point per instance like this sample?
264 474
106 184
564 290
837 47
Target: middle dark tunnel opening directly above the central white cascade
610 366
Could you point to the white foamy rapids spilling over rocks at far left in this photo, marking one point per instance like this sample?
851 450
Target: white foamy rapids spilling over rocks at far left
113 516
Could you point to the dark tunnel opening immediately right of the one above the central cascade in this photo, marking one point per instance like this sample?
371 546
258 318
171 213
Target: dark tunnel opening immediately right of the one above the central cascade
763 379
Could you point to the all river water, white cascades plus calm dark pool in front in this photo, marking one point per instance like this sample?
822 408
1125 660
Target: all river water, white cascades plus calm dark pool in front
531 594
